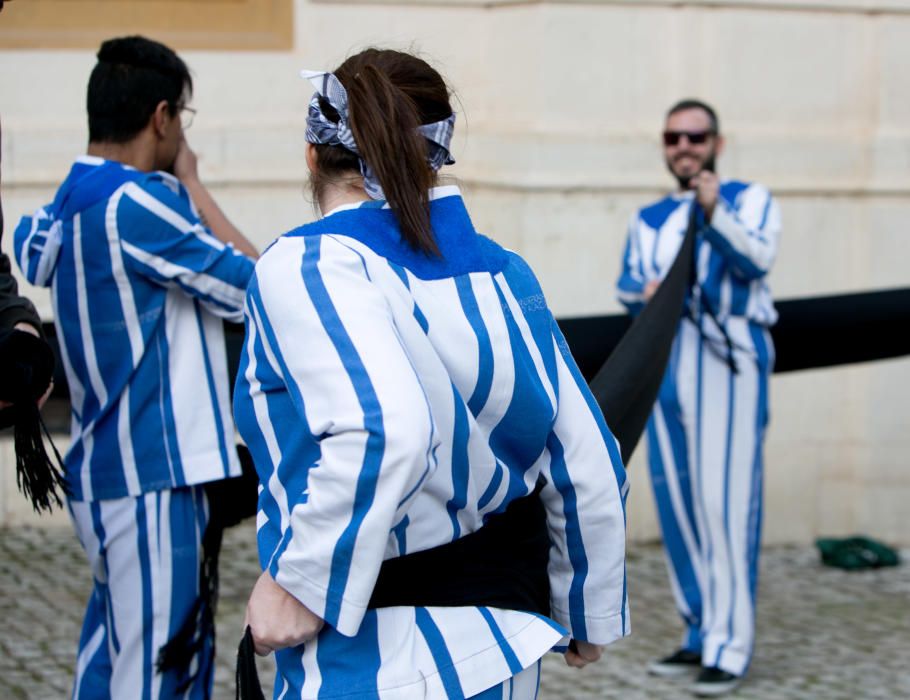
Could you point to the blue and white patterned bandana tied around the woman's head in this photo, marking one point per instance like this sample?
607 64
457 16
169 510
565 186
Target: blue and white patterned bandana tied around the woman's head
322 130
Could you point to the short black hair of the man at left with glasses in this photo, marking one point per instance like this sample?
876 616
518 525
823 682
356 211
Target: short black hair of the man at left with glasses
132 76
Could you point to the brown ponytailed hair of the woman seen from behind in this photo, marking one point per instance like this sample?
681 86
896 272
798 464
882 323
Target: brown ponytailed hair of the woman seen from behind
390 94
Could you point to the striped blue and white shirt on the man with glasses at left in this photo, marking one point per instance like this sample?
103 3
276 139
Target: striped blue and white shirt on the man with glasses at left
139 289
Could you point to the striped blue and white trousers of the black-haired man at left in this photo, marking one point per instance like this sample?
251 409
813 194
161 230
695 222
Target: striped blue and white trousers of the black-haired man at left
144 554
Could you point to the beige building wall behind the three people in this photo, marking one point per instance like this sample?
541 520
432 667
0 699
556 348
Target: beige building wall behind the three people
560 107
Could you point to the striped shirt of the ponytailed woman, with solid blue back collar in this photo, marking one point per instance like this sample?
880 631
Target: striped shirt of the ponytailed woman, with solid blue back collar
392 402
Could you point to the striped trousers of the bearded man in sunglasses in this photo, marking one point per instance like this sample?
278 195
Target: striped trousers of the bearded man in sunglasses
705 440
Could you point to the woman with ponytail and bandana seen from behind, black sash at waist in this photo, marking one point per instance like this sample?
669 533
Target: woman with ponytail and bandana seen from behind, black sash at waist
441 502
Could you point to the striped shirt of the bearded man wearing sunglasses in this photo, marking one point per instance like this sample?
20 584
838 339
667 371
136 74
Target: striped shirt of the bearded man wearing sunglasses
734 253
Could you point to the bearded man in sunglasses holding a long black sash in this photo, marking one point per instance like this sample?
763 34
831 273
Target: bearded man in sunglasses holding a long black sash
706 431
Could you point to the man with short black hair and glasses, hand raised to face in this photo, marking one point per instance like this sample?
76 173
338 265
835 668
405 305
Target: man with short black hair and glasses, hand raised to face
142 266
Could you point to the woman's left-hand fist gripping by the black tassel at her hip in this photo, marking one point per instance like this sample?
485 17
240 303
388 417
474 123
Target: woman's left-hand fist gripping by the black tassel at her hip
277 619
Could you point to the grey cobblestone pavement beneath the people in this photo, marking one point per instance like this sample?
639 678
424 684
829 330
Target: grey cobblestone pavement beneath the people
822 633
